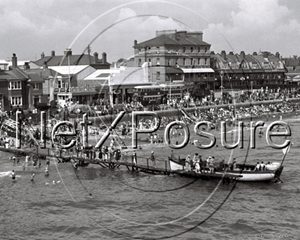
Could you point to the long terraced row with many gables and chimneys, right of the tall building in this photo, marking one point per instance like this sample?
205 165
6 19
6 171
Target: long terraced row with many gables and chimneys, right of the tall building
250 72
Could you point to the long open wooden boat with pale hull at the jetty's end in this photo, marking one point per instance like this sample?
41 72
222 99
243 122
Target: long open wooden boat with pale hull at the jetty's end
242 172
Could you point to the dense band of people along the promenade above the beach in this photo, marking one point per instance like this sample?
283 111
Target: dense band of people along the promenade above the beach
104 107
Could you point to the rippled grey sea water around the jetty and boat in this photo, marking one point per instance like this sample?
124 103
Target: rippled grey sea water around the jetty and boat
98 203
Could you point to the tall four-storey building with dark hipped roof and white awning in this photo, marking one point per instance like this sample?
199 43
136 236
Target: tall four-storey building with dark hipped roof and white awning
177 57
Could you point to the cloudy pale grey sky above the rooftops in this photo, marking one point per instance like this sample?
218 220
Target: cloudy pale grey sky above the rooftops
30 27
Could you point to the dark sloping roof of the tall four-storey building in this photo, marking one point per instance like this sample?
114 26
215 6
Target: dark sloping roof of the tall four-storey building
169 39
